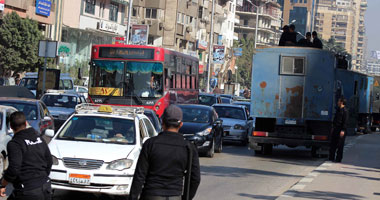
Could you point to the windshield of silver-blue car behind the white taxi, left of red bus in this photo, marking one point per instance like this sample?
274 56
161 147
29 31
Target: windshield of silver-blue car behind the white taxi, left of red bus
65 101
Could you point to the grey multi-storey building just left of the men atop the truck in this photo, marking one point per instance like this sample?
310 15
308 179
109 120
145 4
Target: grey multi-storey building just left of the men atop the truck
269 20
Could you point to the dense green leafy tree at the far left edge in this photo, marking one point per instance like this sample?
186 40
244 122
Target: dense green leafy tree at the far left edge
19 40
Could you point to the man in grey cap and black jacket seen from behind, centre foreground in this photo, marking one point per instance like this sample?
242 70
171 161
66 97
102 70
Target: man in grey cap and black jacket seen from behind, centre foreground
163 163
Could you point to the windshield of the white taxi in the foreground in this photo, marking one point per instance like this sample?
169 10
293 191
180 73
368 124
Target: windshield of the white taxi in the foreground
99 129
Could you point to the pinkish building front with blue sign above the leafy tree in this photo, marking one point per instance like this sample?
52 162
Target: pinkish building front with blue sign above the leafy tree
45 15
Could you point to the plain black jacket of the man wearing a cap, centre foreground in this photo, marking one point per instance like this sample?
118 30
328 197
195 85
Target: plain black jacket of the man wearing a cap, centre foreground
161 167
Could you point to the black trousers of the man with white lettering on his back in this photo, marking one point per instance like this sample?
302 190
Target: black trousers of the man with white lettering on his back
42 193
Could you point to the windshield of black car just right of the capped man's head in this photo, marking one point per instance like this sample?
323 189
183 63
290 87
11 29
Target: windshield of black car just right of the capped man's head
195 115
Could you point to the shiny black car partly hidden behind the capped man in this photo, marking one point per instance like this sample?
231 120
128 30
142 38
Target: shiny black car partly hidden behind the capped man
202 126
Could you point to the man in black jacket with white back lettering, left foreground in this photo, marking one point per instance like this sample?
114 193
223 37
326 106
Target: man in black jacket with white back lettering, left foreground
30 163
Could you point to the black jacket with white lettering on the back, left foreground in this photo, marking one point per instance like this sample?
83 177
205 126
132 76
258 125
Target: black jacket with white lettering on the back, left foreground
29 159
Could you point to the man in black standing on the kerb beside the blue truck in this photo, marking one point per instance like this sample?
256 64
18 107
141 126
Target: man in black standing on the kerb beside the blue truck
338 134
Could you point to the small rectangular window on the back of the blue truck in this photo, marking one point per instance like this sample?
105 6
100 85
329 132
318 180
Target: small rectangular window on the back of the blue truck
292 65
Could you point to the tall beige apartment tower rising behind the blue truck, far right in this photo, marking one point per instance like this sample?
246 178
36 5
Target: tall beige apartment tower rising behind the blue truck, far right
343 20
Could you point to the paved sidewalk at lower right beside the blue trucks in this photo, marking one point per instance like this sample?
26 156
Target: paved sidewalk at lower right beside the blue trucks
356 178
